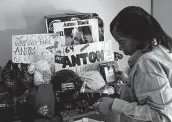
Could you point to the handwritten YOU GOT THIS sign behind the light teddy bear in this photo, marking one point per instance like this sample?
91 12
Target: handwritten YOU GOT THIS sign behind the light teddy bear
24 46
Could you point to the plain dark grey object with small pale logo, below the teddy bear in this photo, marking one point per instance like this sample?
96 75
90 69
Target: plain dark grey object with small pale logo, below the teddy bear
42 102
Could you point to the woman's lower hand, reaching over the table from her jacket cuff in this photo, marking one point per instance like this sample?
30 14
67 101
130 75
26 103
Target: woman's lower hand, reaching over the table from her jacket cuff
103 105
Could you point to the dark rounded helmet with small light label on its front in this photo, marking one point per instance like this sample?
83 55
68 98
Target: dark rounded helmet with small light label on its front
66 85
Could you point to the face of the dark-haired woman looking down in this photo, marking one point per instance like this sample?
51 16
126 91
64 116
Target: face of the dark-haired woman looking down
127 44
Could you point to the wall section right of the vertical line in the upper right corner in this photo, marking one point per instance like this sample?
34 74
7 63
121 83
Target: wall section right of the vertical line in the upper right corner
161 11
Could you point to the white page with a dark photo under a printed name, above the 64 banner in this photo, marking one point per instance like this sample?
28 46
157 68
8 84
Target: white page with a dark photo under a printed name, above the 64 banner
78 32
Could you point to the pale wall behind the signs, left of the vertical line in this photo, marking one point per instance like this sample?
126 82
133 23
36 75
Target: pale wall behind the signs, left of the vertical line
27 17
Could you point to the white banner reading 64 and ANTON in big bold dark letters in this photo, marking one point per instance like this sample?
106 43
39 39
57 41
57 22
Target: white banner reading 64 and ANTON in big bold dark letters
83 57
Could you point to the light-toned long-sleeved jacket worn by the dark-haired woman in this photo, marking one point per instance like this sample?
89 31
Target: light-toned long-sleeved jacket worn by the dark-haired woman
147 96
